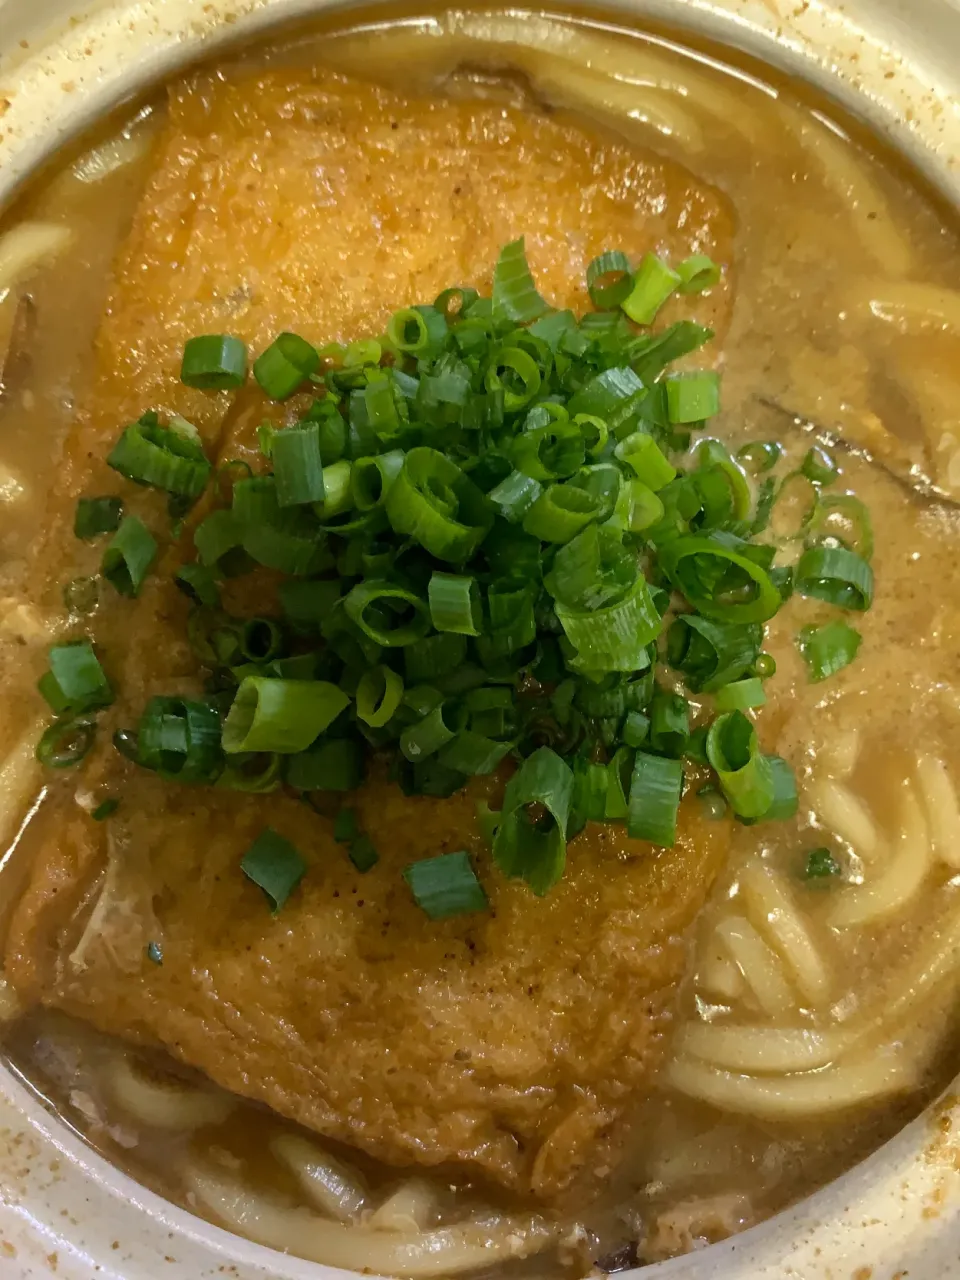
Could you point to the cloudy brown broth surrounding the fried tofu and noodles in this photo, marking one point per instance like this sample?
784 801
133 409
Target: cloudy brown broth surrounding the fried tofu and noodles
803 360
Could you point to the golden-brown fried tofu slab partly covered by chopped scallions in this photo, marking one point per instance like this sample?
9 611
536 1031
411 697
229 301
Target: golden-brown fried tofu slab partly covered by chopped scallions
505 1044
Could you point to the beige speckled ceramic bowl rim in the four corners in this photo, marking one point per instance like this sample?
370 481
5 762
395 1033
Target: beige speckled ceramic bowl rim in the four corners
66 1213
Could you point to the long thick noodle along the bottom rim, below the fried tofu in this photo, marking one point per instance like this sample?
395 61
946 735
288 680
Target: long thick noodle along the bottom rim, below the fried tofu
442 1252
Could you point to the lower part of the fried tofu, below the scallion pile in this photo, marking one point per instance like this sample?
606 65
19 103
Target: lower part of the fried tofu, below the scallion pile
504 1041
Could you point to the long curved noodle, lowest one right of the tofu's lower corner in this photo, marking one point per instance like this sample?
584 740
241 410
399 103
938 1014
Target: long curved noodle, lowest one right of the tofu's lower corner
794 1096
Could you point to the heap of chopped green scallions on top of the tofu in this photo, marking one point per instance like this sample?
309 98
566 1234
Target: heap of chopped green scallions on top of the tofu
484 533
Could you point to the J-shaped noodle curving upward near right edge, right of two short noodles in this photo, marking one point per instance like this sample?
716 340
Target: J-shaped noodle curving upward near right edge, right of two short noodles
900 881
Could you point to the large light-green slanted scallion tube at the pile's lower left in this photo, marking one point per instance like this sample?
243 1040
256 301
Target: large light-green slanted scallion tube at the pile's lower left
282 716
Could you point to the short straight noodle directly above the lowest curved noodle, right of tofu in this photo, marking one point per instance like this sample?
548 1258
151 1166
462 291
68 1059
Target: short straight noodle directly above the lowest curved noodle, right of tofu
764 1050
